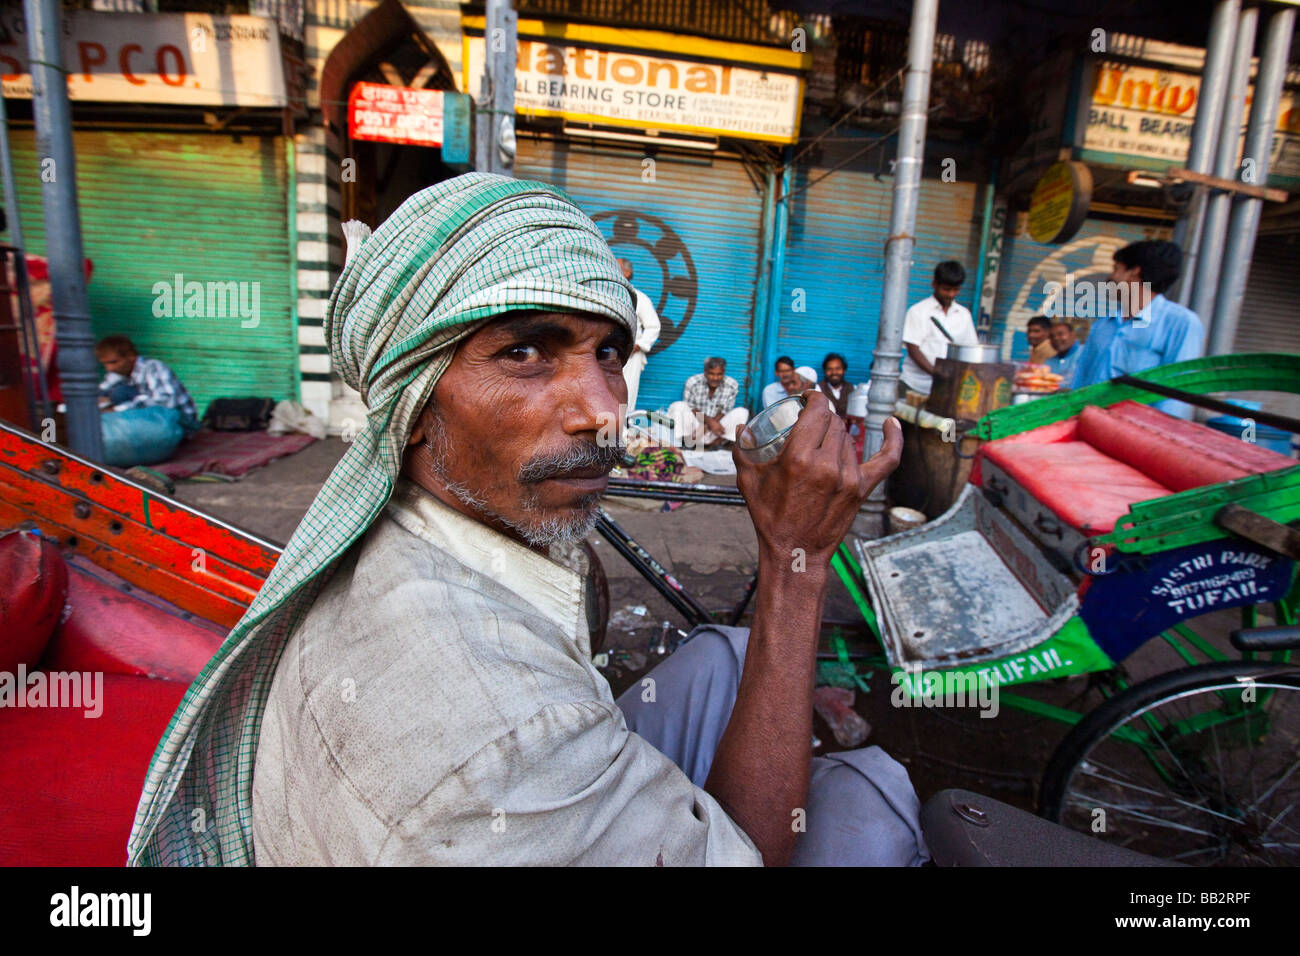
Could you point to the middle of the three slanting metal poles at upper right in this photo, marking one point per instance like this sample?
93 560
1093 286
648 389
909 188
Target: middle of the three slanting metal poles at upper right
1219 205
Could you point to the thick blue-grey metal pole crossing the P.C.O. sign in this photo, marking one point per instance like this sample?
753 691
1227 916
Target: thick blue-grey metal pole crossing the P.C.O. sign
77 366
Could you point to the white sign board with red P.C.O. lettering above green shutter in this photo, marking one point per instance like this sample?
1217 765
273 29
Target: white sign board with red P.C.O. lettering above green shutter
194 59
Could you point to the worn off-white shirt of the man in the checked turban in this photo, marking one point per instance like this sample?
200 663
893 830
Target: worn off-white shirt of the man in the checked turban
439 706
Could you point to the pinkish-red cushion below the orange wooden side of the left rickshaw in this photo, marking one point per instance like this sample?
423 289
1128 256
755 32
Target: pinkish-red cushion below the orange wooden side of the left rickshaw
120 634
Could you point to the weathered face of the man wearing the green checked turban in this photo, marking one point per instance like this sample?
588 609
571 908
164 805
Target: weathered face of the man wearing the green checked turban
523 429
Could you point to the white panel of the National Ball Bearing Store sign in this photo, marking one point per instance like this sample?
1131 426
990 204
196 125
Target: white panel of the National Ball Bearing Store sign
648 90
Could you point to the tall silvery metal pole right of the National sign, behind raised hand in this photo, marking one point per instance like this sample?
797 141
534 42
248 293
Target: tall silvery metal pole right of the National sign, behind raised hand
903 224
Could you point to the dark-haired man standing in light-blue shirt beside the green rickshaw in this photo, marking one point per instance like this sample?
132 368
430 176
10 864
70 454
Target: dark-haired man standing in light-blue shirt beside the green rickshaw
1147 330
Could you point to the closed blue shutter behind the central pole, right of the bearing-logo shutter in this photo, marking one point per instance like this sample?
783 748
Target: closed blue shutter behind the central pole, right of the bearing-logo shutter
837 258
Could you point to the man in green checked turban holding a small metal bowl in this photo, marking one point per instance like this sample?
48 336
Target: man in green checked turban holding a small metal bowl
414 682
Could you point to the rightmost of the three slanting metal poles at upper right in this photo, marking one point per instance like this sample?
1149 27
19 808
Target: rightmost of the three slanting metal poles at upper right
1245 222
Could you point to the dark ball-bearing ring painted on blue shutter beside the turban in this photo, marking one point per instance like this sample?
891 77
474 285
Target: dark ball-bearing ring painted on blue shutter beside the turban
649 243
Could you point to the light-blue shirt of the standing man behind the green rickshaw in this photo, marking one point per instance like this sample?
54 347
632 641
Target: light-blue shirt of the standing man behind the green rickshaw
1160 335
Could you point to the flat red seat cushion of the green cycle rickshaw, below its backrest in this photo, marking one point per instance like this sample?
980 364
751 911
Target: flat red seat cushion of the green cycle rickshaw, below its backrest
1087 490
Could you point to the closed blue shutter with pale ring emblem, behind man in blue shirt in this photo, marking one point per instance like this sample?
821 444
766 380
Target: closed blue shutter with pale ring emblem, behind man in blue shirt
1028 266
